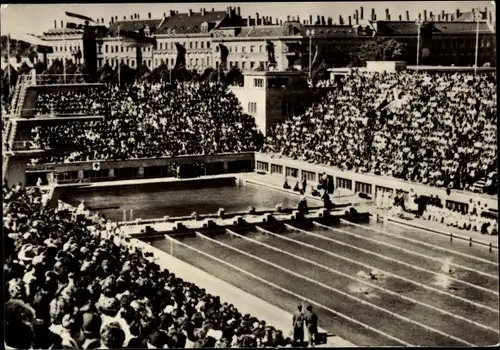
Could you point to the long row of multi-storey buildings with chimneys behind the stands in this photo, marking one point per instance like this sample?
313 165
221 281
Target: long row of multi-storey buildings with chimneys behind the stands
445 39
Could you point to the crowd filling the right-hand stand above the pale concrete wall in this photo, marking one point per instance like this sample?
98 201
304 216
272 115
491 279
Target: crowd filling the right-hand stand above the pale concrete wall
436 129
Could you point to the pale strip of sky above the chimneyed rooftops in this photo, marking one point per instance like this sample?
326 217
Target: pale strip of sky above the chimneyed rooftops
36 18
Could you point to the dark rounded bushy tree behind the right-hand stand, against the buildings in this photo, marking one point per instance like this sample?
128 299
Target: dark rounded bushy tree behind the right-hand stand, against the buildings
381 49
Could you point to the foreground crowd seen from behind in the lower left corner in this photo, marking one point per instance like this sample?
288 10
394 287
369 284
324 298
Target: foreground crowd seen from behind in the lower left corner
74 286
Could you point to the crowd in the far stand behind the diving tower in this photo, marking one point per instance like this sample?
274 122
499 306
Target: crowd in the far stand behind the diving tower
149 120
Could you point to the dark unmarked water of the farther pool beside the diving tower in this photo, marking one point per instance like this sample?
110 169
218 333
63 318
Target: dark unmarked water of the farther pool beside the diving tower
163 199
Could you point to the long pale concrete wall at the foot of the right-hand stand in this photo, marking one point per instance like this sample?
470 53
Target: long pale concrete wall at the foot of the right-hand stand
373 181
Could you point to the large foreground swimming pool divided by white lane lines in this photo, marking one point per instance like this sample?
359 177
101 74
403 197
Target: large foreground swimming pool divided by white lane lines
414 300
